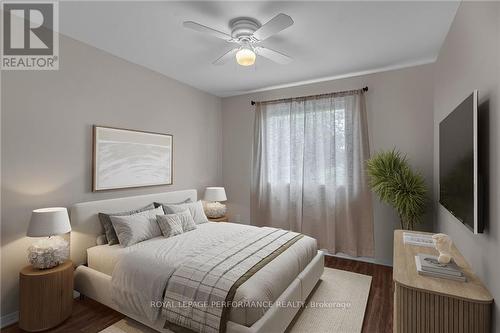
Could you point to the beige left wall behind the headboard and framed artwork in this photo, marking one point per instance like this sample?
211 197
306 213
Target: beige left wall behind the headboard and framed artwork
46 137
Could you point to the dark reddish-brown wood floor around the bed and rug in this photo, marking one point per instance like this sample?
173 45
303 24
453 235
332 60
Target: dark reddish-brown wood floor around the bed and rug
91 317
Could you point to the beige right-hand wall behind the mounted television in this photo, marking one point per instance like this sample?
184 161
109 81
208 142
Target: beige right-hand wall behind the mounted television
468 60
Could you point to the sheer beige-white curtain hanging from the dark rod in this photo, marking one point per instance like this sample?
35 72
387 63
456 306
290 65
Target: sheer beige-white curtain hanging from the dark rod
309 170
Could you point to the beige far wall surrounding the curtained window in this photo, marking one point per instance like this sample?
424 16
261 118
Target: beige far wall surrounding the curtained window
399 105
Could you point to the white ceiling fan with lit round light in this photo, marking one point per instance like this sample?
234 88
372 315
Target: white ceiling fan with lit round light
247 33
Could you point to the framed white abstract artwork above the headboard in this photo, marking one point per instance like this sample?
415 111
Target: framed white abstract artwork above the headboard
127 158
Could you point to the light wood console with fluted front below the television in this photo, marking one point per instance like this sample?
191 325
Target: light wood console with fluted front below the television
427 304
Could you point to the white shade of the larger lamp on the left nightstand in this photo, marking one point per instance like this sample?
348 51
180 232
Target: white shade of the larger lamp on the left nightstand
48 222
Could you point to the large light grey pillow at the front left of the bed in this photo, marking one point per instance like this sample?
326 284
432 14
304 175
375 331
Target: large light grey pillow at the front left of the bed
136 228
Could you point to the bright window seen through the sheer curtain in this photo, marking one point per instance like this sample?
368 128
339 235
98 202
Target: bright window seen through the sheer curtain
306 139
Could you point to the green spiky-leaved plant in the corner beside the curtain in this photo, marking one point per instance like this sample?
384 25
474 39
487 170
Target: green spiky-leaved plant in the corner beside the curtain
396 184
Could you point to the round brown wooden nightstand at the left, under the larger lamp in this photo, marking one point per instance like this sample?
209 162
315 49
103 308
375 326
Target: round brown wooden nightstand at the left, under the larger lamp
45 296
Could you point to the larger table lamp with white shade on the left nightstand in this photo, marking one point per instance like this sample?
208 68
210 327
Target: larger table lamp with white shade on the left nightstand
52 251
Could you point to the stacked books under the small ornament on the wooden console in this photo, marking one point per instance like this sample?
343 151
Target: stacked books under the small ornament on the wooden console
429 265
